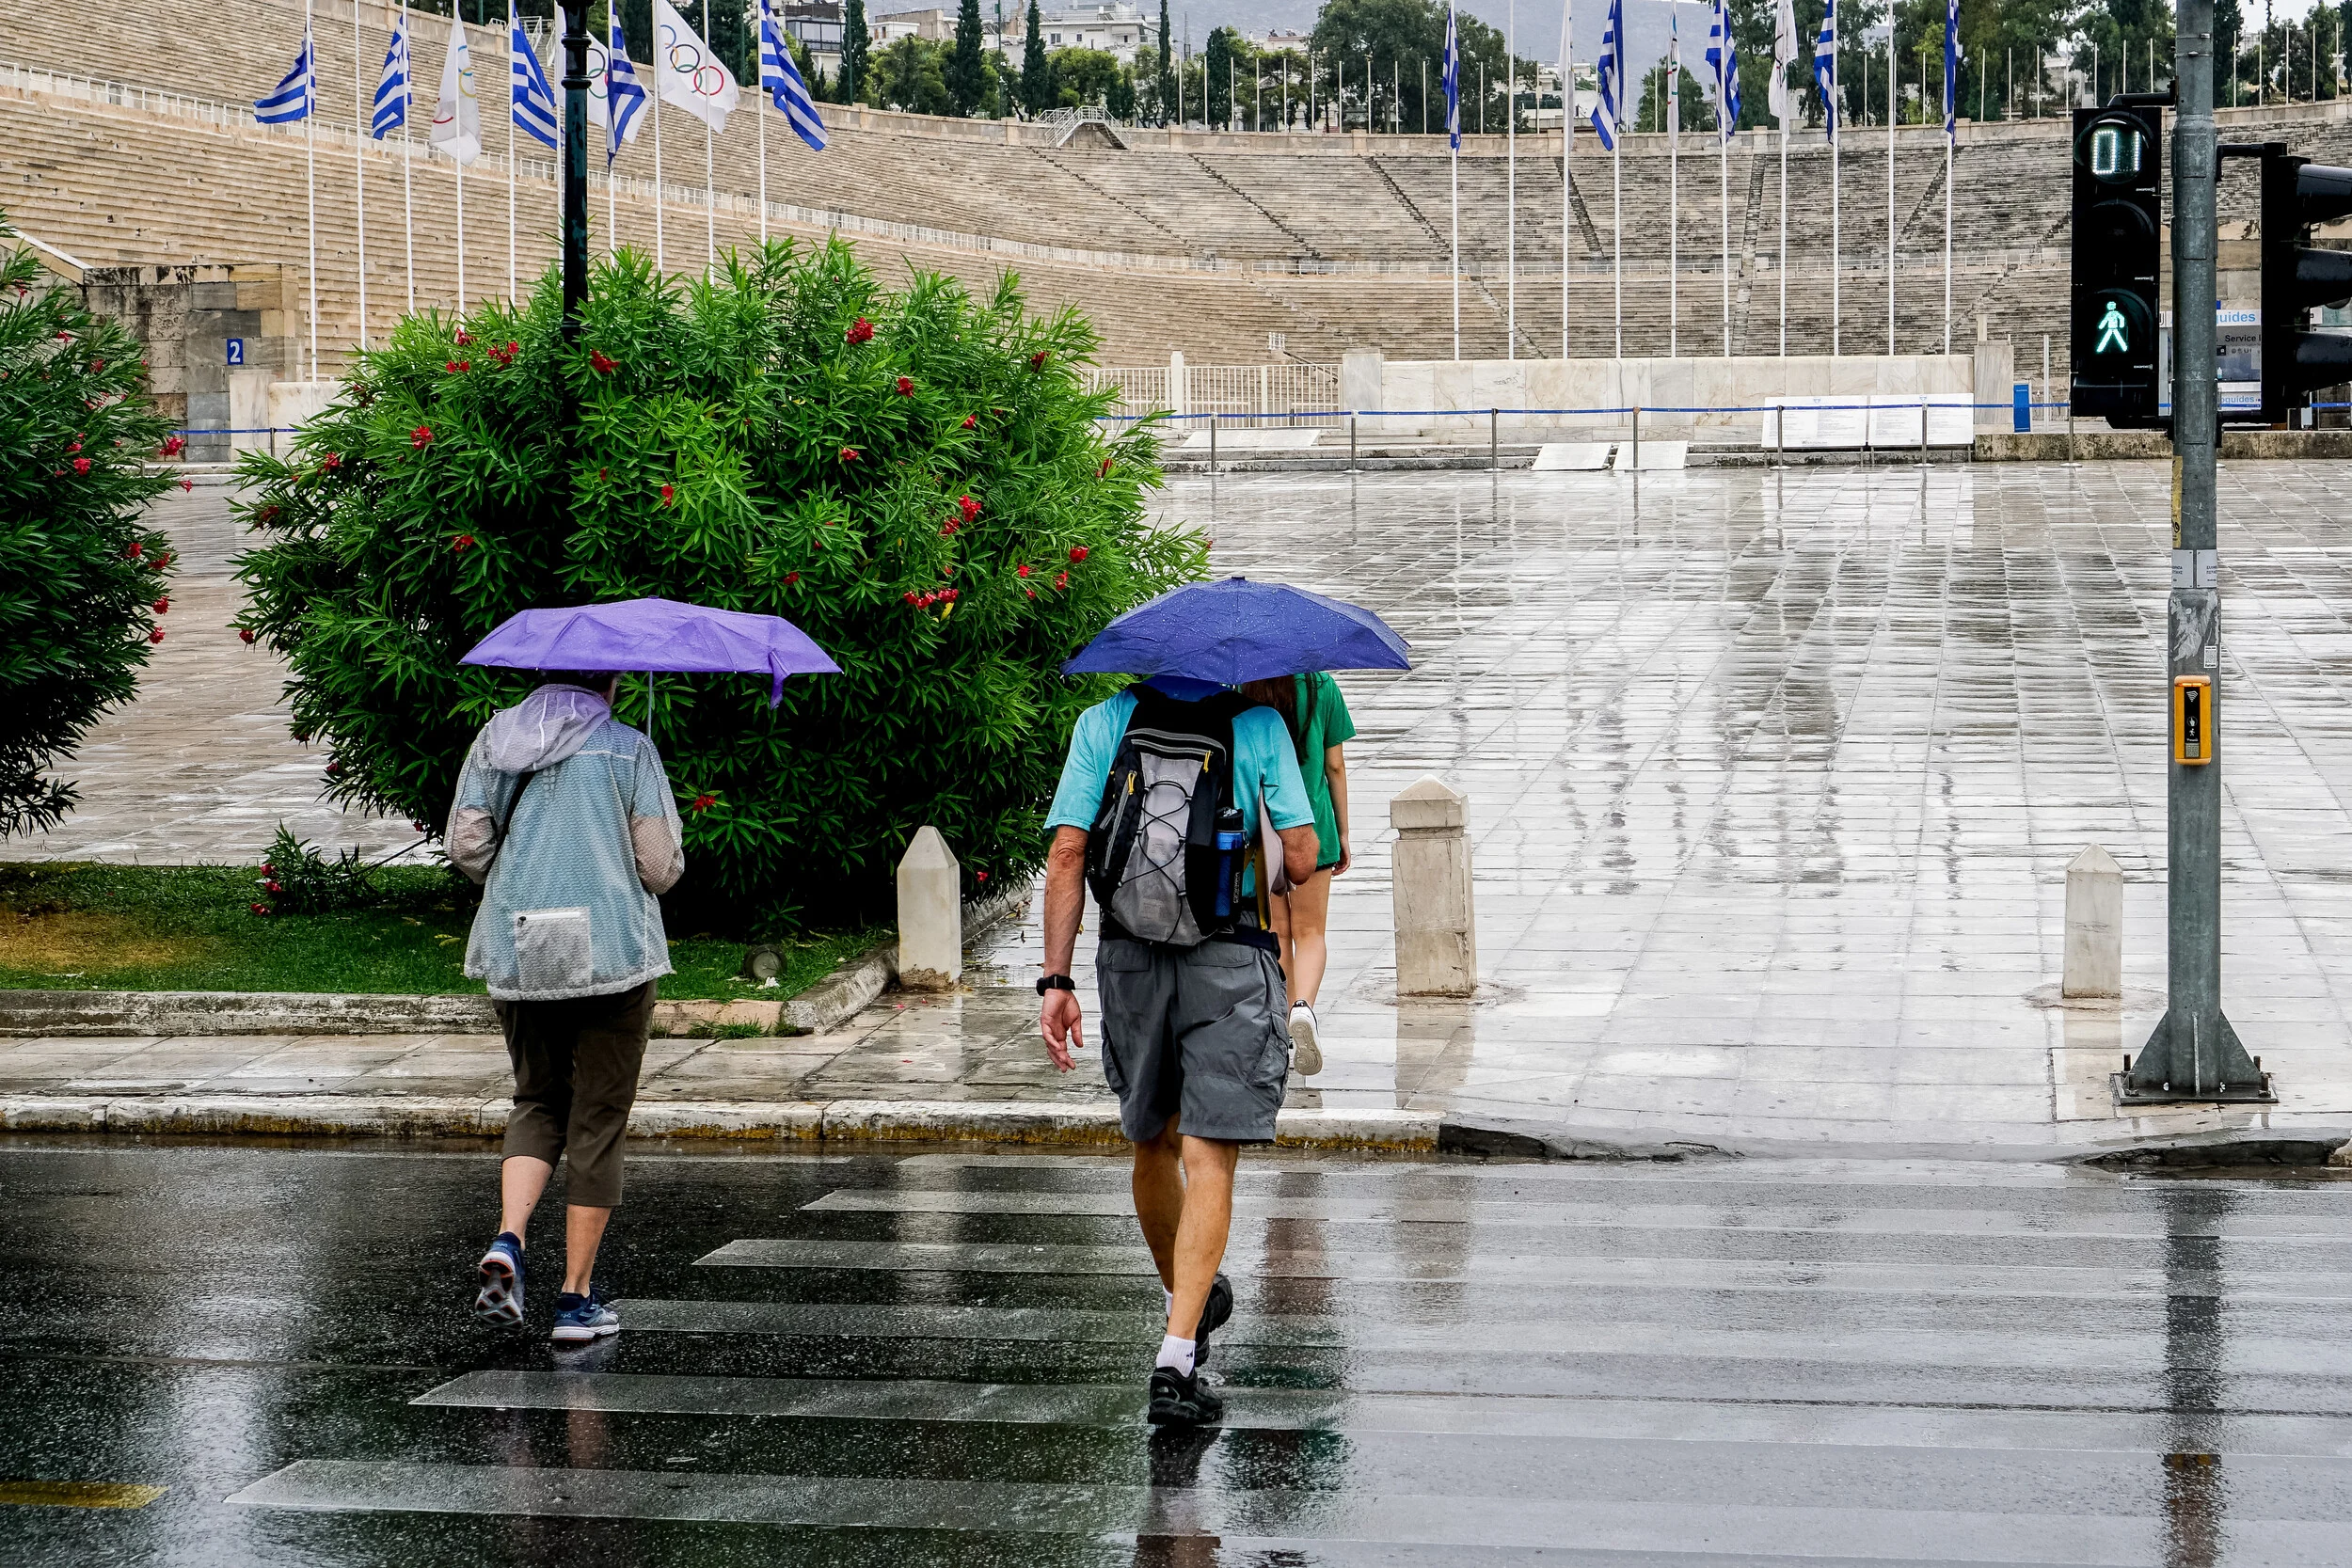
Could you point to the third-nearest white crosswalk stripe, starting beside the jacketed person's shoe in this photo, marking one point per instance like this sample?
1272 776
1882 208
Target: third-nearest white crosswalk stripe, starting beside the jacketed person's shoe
1478 1339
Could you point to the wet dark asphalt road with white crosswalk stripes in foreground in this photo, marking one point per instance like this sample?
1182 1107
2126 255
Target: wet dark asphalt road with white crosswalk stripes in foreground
937 1360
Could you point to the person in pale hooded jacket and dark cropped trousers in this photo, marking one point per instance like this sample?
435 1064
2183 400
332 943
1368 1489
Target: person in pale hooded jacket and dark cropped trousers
568 822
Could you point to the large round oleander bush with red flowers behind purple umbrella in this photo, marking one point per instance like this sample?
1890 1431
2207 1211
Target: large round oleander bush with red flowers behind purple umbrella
916 478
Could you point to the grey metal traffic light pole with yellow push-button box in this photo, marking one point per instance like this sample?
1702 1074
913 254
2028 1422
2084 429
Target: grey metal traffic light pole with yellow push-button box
2193 1052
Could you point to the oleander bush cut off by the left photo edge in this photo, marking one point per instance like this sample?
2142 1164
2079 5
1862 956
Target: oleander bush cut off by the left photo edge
83 579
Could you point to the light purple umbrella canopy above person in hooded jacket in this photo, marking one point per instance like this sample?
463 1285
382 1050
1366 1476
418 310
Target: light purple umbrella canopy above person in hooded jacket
655 636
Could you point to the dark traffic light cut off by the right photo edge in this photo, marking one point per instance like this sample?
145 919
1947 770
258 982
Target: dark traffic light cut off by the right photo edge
2299 194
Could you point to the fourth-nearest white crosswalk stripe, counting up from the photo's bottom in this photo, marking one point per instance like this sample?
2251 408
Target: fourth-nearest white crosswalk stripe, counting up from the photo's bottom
1431 1264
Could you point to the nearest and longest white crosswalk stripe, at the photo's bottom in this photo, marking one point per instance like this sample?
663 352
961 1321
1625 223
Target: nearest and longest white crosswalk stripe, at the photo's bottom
1262 1517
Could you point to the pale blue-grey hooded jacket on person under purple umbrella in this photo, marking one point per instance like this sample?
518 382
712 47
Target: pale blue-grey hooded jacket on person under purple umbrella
568 822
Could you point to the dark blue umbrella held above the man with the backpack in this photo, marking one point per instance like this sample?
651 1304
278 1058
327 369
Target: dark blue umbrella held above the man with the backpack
1241 631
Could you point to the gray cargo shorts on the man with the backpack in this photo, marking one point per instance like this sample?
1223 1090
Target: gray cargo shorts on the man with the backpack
1198 1033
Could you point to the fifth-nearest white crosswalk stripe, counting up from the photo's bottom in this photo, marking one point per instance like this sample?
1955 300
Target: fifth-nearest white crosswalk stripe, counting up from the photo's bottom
1603 1217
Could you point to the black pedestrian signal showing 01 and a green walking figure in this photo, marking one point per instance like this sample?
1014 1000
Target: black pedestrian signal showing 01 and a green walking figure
2118 262
